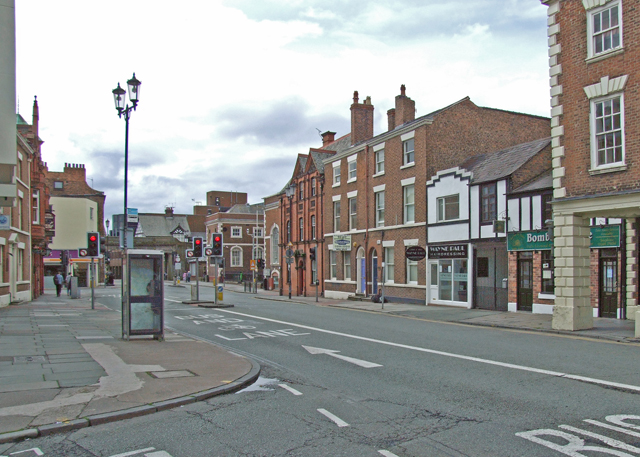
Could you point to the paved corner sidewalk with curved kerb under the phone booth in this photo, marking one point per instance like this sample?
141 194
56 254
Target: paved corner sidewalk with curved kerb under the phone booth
64 366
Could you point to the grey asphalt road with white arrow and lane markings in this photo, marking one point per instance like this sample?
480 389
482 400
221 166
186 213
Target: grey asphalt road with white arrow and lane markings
343 382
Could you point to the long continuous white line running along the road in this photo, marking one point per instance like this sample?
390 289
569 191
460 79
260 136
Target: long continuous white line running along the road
448 354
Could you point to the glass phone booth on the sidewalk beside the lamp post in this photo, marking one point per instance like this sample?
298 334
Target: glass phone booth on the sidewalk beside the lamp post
144 310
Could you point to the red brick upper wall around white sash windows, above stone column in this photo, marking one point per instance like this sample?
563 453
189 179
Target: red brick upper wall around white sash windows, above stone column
577 74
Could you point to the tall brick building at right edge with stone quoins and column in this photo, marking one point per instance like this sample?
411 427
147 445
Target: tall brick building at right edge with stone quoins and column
595 104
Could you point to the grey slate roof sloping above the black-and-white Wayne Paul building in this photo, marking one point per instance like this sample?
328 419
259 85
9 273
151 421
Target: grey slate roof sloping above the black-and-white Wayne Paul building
496 165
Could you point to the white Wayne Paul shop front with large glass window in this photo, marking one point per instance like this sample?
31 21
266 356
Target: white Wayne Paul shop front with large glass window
448 275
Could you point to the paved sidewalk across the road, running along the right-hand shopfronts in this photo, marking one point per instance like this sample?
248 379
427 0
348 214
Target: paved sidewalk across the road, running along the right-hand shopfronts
608 329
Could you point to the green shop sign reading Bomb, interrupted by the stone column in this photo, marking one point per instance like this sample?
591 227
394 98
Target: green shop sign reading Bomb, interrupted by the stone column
539 240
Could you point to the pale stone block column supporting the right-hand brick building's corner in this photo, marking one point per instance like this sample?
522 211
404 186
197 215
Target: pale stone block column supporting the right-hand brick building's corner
572 310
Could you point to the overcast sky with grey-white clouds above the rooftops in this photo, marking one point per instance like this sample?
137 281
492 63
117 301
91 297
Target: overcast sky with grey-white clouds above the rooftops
233 90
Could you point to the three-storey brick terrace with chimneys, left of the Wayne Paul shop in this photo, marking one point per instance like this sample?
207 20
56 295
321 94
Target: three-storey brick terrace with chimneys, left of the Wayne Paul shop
375 188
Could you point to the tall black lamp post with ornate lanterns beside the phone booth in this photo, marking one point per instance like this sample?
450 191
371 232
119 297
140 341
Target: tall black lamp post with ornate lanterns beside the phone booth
124 109
